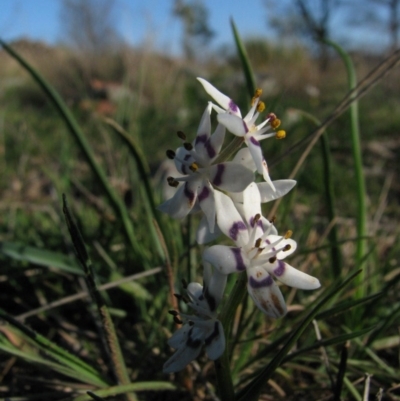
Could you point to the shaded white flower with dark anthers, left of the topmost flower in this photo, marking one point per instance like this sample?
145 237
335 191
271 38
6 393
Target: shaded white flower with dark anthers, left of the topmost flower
200 176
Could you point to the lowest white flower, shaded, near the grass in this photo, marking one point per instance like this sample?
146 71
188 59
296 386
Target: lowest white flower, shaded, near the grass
201 329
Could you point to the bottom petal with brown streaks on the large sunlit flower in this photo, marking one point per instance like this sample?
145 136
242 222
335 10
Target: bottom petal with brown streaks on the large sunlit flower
265 293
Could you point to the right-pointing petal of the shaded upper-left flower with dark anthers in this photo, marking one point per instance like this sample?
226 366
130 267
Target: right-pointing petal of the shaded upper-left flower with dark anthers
231 177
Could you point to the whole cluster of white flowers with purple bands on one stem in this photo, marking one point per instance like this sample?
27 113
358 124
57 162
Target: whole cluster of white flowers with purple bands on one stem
230 200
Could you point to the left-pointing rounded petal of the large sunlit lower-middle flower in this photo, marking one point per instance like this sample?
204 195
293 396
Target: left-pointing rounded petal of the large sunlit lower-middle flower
226 259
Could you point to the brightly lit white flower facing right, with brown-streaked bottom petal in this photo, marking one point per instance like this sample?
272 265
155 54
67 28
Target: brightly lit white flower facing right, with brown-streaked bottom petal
259 251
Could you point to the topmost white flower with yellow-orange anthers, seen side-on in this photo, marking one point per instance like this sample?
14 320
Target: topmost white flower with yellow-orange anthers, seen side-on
230 116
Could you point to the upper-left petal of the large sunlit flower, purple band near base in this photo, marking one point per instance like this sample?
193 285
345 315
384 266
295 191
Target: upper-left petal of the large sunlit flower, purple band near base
229 220
